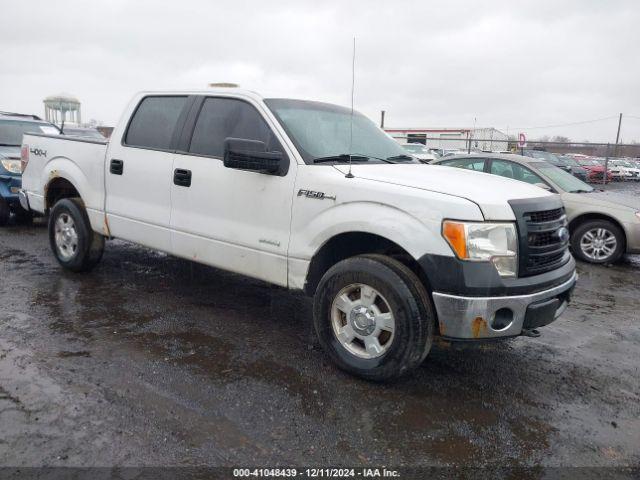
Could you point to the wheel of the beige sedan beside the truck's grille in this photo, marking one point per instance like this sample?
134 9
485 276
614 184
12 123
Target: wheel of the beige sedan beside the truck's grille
598 241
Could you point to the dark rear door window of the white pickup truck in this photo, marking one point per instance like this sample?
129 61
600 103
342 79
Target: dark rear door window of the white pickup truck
154 122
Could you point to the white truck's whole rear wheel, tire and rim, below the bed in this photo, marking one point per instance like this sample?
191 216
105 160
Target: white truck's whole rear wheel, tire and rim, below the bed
75 245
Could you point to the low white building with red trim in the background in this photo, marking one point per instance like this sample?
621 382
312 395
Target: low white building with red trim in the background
486 139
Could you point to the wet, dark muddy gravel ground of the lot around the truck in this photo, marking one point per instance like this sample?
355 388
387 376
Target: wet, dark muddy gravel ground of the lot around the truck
152 360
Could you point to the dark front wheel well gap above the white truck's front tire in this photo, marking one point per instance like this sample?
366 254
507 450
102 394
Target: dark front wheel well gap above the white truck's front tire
350 244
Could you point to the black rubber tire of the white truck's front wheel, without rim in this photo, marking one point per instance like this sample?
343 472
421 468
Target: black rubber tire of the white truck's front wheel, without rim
408 301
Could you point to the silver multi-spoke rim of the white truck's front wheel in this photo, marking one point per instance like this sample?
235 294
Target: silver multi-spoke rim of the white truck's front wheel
362 321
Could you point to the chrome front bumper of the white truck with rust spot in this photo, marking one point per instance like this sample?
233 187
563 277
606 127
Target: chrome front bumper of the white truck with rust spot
474 318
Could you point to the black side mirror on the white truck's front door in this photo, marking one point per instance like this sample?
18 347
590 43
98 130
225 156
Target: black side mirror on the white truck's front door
252 155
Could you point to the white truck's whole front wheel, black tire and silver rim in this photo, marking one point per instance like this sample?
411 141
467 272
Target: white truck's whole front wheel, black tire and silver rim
373 317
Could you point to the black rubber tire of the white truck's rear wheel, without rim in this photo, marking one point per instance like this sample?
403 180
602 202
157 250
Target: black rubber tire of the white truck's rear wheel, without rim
90 245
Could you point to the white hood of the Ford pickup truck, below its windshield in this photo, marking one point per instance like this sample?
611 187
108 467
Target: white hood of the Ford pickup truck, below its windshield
490 192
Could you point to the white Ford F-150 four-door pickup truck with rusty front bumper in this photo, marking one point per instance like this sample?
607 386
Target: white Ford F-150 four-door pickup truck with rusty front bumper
313 197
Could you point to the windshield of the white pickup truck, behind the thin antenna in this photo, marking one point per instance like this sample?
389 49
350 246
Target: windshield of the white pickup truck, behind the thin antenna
321 130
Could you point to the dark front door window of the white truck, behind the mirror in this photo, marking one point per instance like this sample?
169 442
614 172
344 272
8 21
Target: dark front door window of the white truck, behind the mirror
222 118
